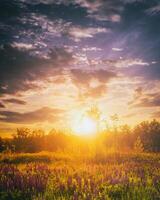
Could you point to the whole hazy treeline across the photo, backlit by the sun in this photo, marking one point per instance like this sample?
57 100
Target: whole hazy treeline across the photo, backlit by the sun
143 137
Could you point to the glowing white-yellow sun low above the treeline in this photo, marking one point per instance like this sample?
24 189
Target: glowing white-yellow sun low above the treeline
86 126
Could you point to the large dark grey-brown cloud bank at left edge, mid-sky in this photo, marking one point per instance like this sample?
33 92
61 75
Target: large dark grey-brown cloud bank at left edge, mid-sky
20 70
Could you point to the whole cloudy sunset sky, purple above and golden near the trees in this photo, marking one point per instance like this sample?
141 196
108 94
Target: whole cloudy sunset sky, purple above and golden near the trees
60 57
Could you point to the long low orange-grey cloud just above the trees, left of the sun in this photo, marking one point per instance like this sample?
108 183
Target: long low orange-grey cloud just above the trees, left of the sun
41 115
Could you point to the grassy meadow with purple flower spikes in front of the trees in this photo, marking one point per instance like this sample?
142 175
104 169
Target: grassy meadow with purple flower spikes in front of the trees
60 176
